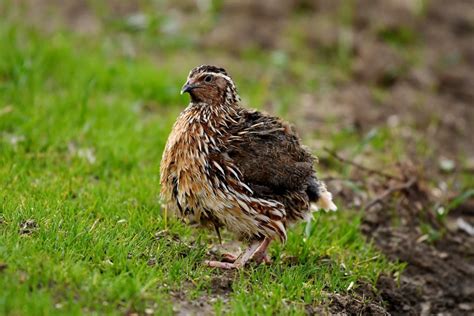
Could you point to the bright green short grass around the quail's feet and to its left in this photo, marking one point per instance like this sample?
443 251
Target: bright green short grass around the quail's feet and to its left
82 129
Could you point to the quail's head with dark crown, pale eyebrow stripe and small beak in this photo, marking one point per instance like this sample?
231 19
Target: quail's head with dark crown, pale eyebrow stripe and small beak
210 85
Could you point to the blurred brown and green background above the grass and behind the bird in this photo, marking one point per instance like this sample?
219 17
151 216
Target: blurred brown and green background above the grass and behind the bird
328 65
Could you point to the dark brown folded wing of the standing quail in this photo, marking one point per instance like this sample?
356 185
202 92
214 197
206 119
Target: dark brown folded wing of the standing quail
268 153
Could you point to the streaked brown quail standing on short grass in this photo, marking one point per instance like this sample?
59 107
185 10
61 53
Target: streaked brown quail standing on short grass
227 166
